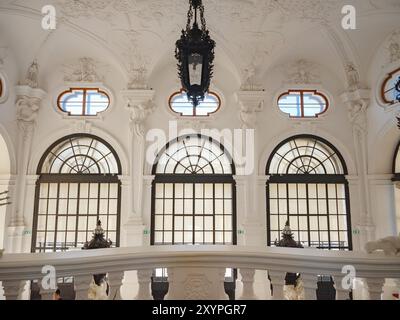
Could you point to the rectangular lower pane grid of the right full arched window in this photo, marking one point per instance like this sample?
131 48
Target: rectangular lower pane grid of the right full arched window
309 234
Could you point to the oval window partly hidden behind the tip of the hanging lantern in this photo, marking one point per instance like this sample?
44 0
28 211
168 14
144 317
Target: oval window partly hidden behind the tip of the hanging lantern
180 104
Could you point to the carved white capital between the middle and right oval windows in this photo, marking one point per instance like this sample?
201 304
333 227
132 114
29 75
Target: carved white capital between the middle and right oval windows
250 103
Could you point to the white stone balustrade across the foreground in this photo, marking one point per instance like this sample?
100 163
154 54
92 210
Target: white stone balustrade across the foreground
198 273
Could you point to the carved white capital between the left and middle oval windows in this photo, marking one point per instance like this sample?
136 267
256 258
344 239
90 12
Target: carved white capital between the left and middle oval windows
140 103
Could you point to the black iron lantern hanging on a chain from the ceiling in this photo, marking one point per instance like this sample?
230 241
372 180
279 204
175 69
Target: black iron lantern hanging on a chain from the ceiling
195 55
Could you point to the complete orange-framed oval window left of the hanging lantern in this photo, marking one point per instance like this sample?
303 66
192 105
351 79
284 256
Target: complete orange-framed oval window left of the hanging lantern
83 101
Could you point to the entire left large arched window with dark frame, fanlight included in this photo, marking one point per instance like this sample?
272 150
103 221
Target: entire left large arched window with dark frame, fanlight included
78 185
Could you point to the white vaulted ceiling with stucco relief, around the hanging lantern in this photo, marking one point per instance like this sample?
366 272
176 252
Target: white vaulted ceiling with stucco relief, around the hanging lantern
249 33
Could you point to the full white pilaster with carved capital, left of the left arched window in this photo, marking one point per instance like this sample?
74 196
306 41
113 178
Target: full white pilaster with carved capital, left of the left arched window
27 107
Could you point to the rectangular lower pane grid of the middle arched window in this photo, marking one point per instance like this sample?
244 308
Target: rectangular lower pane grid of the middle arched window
194 222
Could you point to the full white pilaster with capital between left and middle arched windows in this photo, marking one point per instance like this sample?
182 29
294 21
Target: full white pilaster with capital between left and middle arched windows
140 104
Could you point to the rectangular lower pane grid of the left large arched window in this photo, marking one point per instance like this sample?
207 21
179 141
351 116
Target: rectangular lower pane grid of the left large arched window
75 225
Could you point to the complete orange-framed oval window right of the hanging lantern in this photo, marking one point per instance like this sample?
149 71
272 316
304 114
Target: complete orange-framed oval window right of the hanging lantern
303 103
